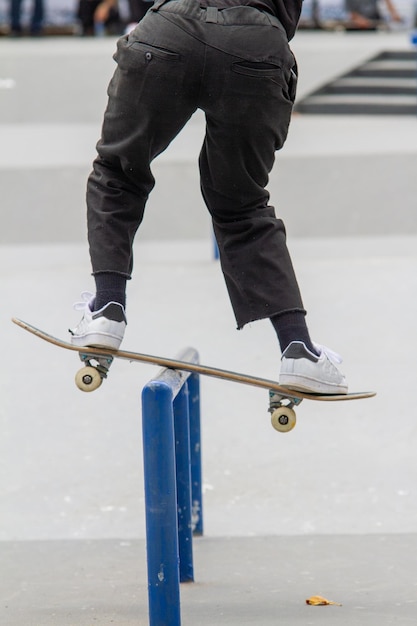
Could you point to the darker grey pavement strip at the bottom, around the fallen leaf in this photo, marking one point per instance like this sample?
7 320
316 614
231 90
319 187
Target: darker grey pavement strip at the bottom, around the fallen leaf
257 580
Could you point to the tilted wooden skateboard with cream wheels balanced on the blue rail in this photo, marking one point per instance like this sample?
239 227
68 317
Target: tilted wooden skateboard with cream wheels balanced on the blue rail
97 362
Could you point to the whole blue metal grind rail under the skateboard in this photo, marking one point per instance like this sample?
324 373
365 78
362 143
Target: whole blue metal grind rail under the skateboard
173 494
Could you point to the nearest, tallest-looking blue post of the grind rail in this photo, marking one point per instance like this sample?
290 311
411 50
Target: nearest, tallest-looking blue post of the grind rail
161 505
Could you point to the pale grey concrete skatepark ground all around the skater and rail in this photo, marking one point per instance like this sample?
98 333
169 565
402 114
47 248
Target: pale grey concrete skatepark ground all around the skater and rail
330 508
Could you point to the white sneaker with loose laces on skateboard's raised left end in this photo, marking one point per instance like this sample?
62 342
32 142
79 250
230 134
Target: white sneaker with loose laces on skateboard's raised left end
102 329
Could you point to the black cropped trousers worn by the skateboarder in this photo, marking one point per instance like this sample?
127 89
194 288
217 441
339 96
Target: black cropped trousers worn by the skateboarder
234 64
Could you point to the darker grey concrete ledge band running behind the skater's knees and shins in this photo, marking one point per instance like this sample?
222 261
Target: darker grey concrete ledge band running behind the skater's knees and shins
317 196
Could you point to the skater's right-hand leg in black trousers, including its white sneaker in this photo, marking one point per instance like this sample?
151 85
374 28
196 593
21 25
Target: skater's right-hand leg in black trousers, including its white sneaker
248 105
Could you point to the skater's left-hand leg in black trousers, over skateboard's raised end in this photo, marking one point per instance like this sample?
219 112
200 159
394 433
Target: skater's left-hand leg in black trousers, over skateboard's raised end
151 96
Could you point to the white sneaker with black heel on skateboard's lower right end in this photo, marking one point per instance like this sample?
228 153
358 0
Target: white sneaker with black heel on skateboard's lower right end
304 371
